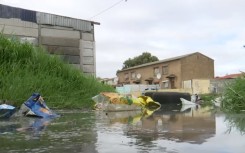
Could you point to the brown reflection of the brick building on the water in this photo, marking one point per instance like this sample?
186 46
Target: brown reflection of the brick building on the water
194 126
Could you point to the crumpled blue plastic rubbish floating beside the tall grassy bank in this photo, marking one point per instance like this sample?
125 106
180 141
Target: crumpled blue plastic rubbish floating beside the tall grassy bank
34 106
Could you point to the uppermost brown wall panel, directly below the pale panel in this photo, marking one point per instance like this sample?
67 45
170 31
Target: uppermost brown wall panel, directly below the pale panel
66 42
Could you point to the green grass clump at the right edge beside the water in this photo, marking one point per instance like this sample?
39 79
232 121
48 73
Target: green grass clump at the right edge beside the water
234 96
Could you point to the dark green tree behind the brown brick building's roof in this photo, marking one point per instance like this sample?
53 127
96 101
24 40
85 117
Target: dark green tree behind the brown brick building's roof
138 60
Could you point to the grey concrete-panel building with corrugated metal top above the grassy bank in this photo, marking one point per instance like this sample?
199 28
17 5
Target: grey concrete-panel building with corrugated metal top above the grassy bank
72 39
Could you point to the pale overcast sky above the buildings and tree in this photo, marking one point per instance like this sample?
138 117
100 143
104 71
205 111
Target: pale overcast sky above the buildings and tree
165 28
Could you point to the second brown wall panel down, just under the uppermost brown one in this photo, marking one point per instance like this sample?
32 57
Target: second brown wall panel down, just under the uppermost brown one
60 50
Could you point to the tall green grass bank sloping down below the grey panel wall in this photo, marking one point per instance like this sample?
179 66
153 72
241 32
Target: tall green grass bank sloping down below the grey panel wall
25 69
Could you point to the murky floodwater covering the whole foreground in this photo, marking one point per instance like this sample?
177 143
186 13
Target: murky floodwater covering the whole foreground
194 130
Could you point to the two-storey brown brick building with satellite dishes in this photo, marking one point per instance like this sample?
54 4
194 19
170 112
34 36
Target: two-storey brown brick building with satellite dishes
169 73
